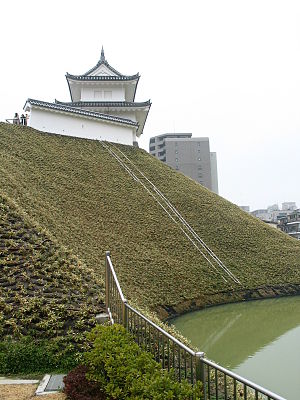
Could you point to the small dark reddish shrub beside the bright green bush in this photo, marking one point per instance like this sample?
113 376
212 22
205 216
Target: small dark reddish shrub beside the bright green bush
77 387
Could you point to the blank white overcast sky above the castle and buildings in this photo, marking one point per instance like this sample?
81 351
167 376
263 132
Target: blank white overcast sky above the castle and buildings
229 70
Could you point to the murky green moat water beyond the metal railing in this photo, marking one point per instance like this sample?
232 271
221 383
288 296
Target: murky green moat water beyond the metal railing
259 340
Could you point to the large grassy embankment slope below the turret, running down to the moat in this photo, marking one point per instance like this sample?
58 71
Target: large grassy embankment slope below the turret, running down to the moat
77 191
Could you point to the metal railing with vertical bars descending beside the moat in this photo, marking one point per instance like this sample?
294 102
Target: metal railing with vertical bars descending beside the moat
218 382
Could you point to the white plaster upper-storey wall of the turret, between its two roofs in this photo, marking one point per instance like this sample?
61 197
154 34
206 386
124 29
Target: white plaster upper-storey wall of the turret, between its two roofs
103 93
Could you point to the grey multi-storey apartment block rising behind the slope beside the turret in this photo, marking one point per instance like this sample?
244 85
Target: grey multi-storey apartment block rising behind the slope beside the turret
191 156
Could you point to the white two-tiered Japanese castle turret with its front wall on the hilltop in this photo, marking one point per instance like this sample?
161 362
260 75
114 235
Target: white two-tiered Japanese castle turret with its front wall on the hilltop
102 107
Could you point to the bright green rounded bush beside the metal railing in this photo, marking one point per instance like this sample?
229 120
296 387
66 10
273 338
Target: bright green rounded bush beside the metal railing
125 371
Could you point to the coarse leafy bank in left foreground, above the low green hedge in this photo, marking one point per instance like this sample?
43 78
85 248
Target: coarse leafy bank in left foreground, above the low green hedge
45 291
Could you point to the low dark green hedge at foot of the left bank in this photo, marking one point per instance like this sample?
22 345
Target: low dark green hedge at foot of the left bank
32 356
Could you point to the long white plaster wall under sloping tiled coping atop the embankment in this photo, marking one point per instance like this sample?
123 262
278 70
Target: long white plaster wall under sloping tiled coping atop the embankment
55 122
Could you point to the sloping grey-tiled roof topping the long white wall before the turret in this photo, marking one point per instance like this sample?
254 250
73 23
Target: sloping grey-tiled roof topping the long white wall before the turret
80 112
